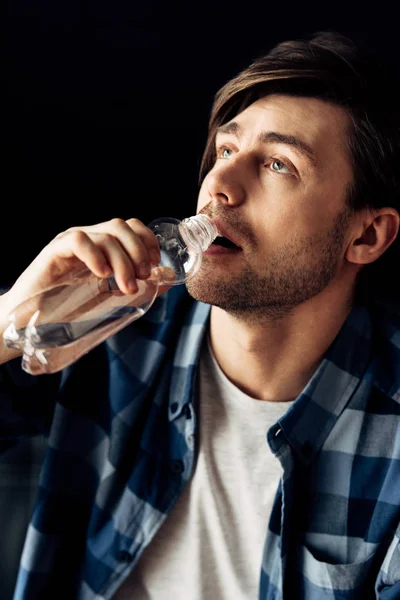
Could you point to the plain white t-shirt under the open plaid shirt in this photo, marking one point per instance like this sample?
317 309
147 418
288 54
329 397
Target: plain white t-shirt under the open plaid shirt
210 546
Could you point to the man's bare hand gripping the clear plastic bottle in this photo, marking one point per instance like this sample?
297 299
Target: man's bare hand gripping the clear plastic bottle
125 249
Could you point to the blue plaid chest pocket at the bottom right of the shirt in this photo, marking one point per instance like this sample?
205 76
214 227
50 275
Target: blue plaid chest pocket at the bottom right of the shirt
353 580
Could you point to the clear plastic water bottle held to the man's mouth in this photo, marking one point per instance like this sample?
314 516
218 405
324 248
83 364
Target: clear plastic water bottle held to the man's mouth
59 325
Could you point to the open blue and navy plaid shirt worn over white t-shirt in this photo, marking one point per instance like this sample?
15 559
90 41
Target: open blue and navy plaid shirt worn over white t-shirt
122 441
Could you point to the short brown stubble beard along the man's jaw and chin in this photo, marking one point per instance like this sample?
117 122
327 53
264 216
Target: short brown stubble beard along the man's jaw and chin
293 273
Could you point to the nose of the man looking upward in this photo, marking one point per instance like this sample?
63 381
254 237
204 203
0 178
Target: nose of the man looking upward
225 184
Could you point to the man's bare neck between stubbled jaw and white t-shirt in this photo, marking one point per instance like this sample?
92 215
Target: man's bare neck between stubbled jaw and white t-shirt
274 359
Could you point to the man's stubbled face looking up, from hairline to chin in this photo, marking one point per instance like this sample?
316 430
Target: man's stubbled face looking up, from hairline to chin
278 189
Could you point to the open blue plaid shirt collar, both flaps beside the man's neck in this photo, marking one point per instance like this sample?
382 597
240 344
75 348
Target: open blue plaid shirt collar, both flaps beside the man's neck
308 422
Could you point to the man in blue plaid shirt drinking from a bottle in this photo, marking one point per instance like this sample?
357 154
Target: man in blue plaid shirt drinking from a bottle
259 413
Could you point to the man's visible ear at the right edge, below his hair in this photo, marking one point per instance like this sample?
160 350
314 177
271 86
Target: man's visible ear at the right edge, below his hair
375 233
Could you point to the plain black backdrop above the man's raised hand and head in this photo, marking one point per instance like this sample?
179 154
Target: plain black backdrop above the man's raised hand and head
107 103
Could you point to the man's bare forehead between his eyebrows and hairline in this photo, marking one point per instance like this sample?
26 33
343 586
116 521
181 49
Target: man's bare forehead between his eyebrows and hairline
320 124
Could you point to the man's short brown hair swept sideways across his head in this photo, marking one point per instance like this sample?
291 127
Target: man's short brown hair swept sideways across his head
331 67
